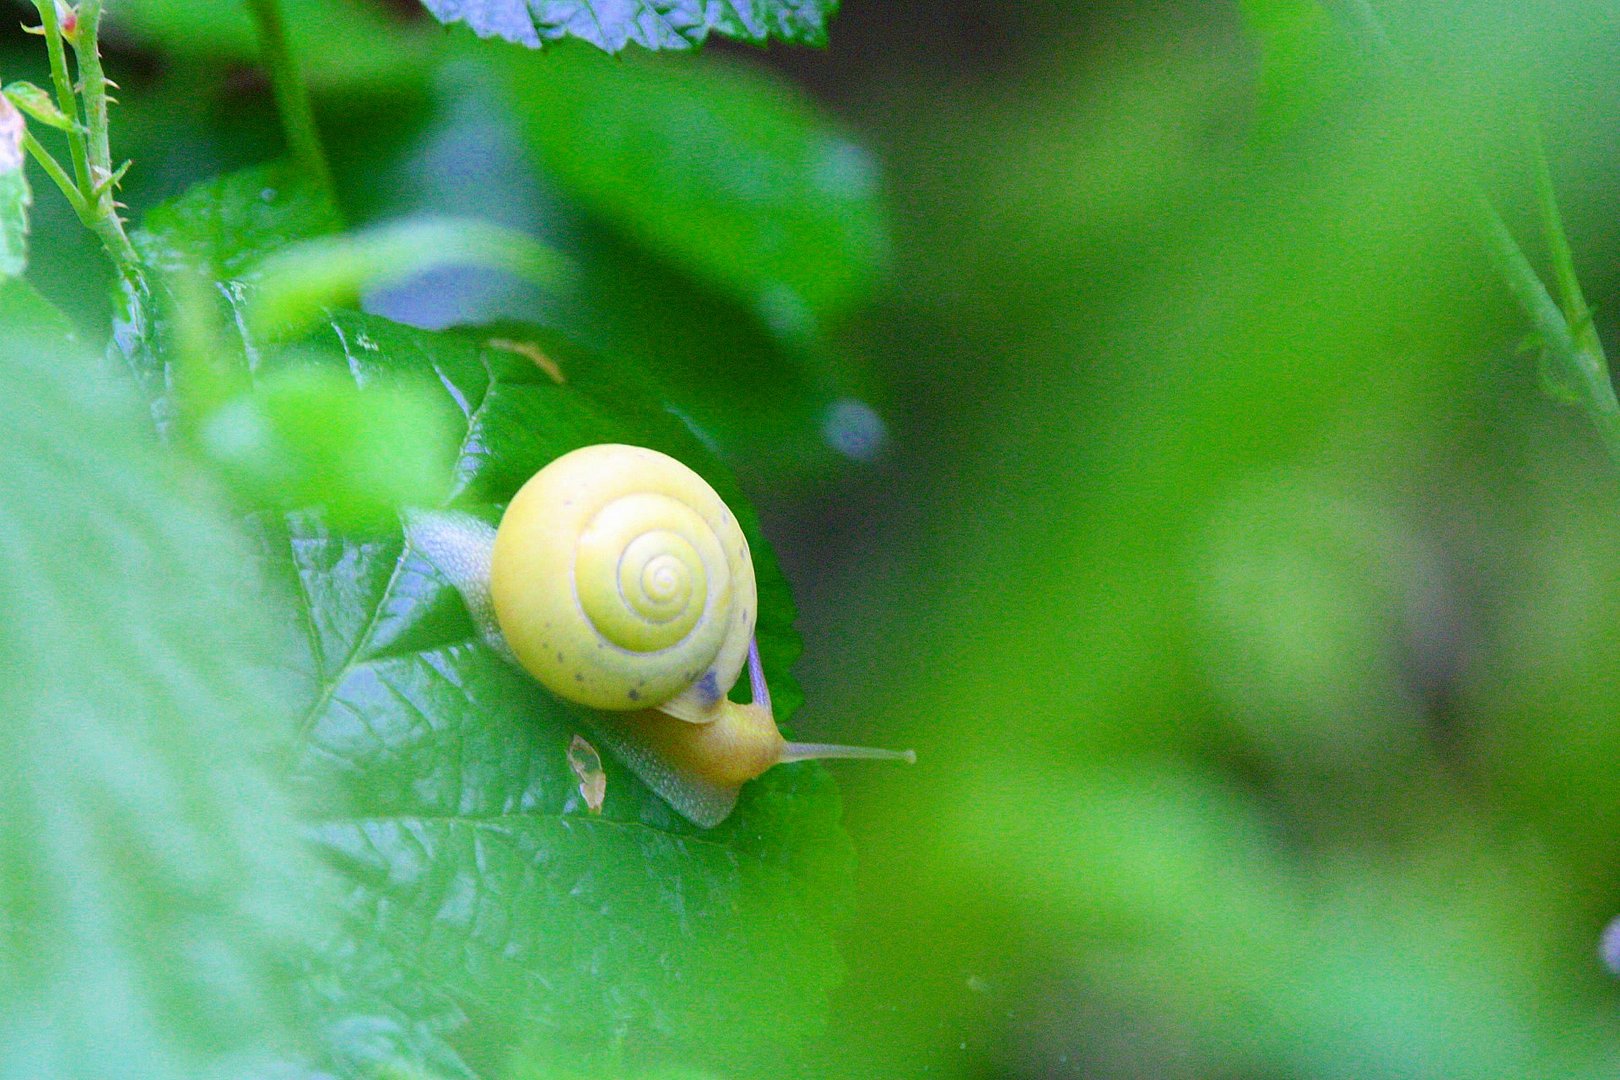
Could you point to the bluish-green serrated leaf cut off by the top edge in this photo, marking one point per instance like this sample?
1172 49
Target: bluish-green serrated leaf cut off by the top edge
612 25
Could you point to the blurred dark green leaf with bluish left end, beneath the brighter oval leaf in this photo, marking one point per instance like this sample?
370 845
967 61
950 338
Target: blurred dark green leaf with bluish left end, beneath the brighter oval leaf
780 414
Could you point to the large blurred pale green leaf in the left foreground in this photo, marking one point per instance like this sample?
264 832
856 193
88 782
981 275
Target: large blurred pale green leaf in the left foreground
155 895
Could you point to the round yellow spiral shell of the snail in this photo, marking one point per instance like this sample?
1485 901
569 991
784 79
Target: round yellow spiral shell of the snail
623 582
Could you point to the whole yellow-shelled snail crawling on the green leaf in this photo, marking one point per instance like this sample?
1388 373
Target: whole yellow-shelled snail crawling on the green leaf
623 584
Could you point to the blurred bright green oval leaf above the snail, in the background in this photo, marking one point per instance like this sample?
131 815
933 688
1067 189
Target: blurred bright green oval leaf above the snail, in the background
718 169
